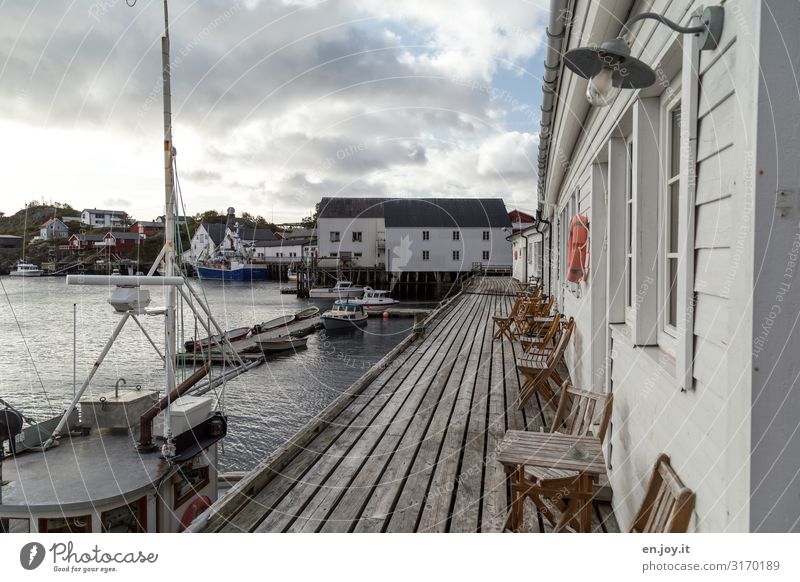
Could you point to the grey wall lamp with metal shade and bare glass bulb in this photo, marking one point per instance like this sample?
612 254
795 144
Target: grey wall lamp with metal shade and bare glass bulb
610 67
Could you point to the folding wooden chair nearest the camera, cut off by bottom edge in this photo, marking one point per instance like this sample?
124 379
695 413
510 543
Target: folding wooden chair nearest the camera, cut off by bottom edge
668 504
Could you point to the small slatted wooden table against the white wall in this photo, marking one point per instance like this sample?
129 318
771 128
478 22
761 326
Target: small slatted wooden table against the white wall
582 454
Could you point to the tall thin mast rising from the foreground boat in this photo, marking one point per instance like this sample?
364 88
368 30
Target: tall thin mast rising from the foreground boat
169 235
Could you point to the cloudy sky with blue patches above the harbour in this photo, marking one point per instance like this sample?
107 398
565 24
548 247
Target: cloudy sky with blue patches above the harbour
275 102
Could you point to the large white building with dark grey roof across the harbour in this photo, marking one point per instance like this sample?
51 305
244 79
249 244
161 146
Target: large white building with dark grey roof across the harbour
415 234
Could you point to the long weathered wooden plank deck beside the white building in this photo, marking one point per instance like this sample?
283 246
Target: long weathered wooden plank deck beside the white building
411 448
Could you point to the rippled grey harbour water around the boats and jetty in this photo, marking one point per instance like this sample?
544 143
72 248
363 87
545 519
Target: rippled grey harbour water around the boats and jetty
265 406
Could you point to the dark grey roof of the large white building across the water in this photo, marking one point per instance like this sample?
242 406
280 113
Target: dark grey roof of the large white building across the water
421 212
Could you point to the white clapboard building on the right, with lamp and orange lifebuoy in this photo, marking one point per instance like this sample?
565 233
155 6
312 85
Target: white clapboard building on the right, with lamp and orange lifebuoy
690 309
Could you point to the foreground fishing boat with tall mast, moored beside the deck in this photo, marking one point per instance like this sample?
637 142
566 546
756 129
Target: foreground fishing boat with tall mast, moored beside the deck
117 460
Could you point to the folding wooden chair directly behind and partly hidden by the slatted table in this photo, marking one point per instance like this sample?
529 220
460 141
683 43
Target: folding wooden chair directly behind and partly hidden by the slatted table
579 413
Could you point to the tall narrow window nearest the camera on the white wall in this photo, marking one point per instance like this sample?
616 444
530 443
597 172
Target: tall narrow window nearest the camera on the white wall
672 191
